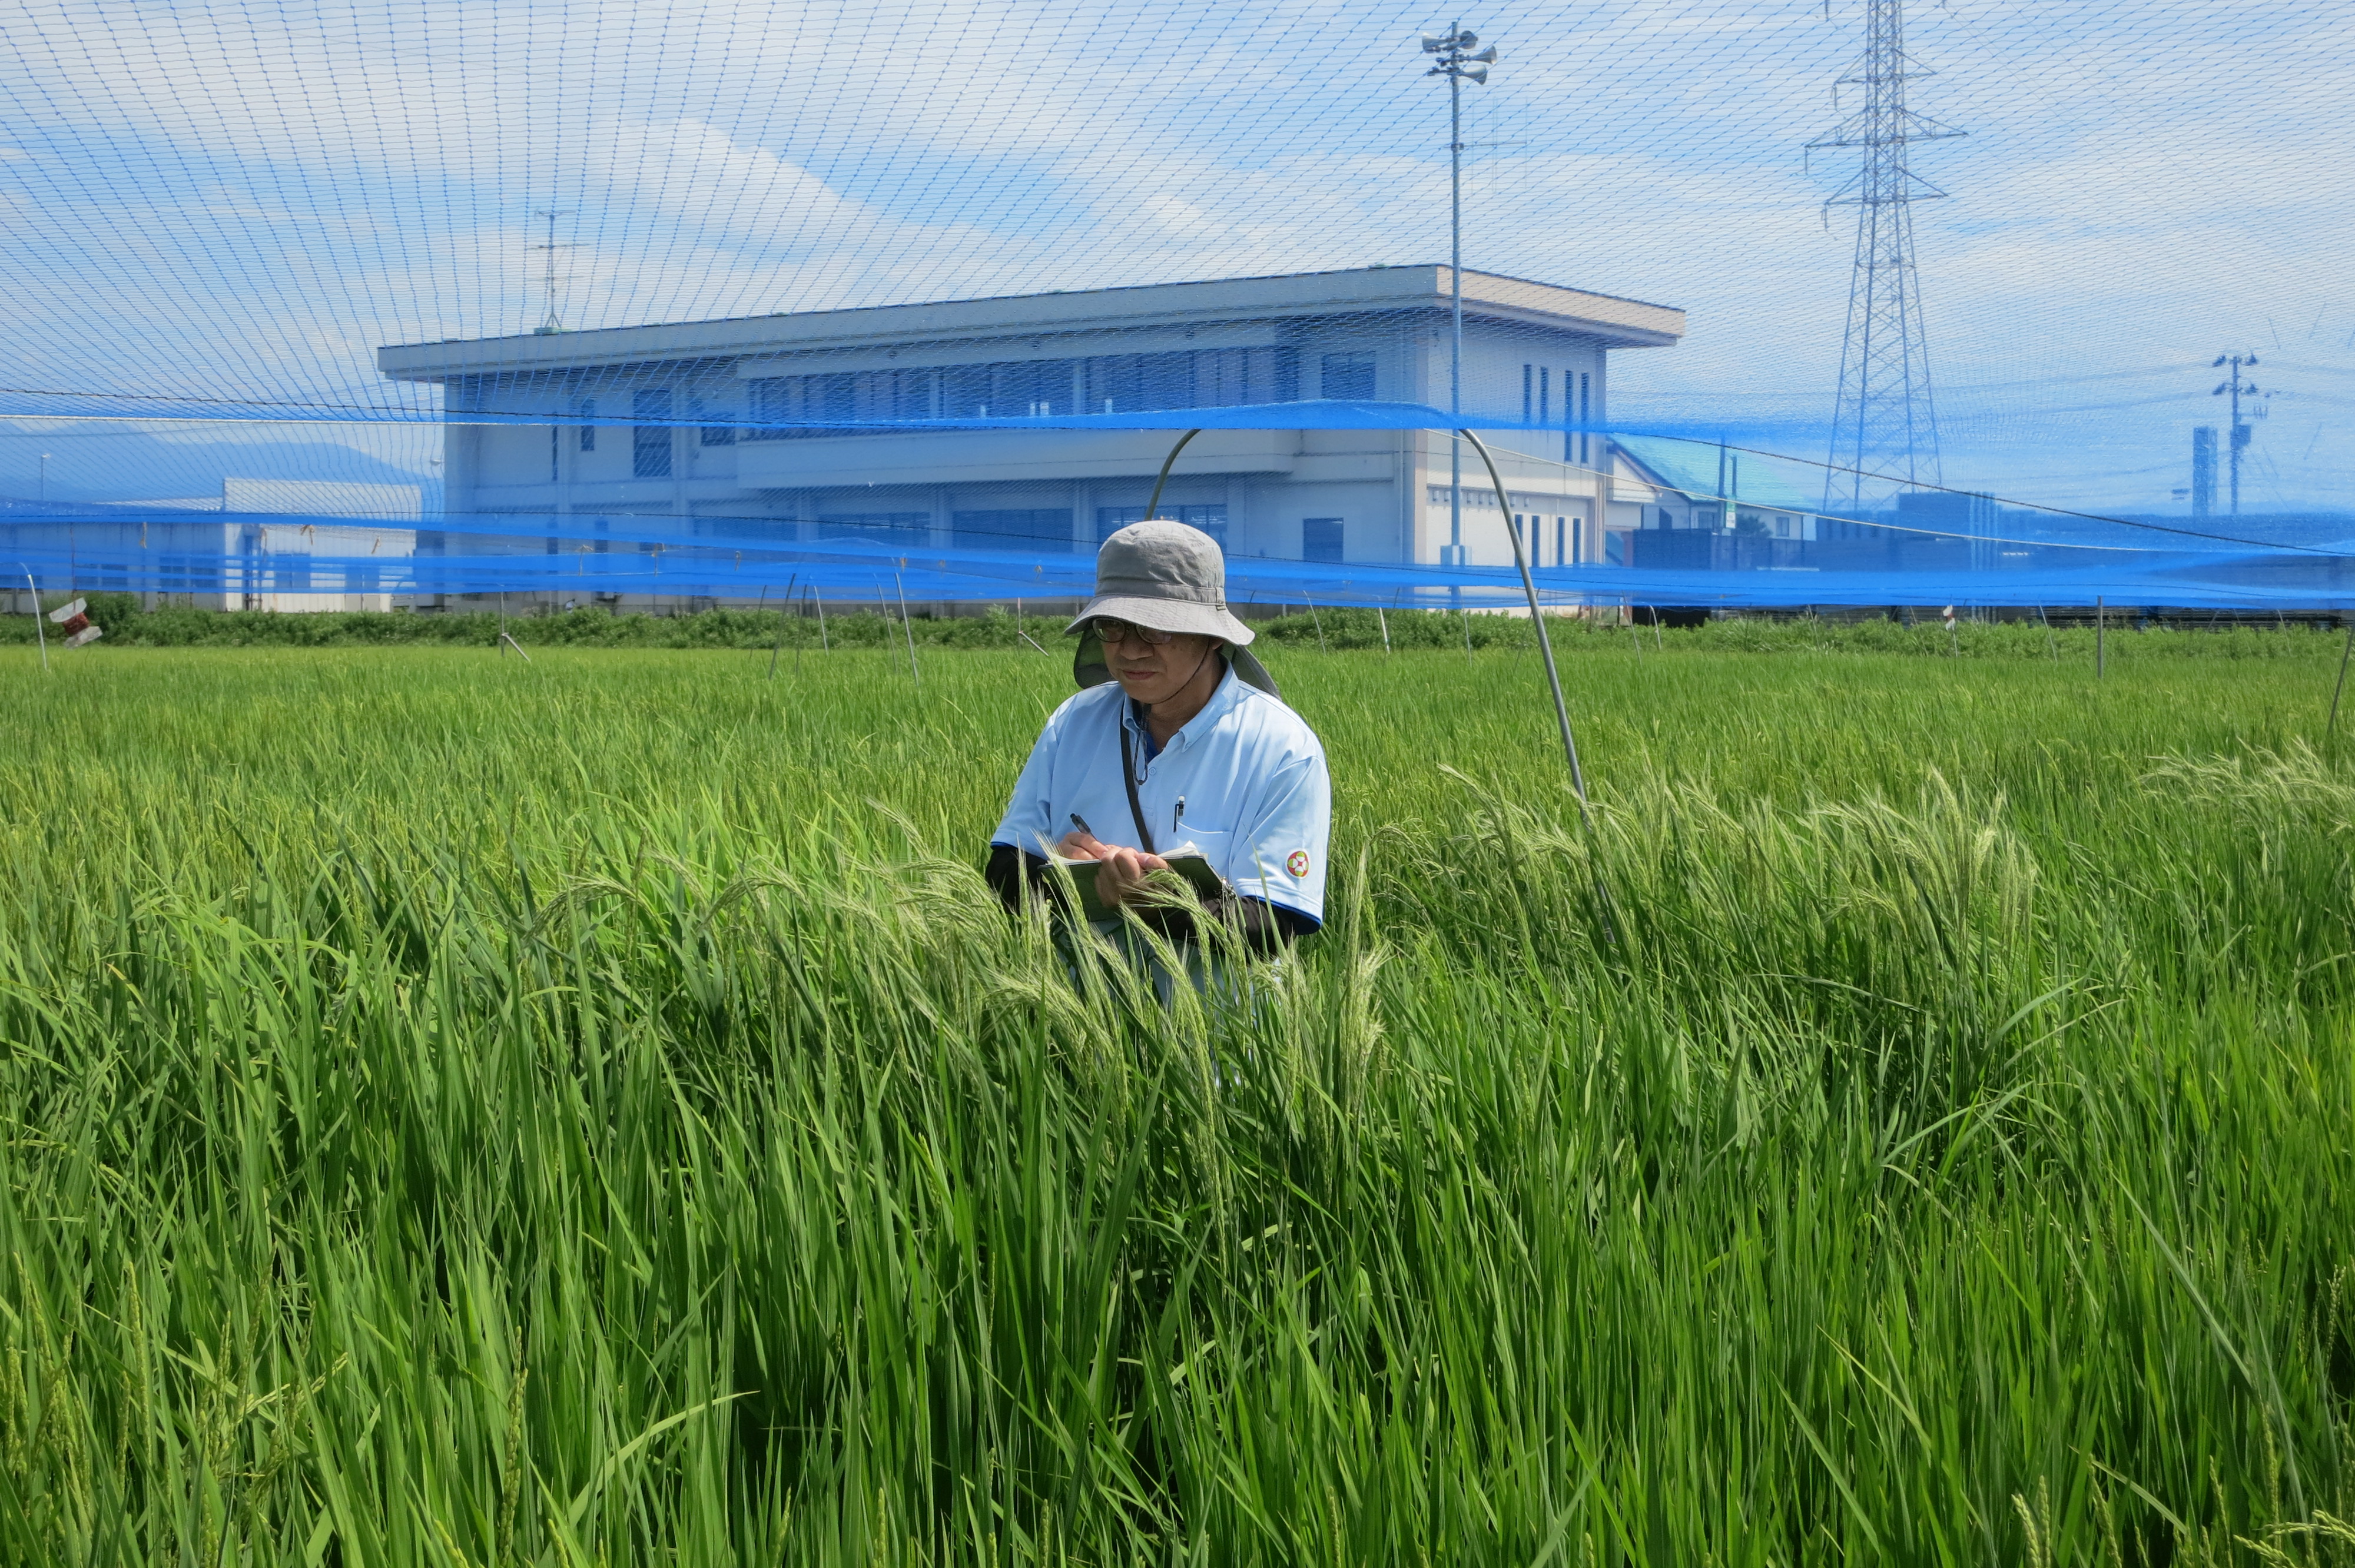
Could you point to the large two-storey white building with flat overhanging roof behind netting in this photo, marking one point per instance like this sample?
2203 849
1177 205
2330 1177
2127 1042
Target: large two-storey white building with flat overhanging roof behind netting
696 394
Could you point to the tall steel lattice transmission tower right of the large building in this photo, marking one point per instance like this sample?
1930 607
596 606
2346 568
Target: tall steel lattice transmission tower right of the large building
1885 423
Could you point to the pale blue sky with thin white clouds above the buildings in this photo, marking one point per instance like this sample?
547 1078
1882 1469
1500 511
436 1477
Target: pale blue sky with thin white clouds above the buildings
244 201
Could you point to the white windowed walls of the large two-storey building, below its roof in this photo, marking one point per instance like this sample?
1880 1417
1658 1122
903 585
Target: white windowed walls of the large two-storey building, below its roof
1280 491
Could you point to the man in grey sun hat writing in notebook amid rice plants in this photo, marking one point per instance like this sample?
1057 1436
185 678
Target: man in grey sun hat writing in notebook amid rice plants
1174 745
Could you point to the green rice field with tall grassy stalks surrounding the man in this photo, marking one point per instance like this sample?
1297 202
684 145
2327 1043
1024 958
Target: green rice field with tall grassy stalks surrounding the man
479 1112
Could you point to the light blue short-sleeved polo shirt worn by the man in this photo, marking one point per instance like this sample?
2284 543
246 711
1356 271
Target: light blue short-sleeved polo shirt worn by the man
1245 780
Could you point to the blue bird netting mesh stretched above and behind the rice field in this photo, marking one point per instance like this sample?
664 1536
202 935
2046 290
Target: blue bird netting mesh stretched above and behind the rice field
1763 303
